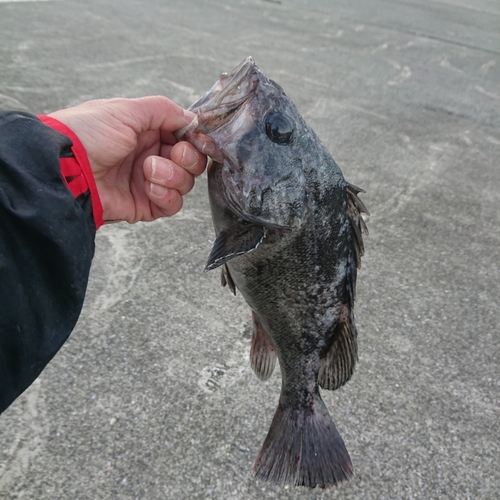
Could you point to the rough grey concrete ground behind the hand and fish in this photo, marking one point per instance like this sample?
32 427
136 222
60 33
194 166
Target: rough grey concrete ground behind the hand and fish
152 397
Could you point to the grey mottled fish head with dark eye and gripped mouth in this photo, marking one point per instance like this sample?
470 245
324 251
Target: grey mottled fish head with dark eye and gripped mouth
261 147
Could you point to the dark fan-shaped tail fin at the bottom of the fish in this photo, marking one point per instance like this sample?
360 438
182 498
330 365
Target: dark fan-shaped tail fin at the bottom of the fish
303 448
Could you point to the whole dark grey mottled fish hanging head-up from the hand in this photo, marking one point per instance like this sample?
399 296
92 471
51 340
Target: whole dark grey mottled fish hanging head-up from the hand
289 238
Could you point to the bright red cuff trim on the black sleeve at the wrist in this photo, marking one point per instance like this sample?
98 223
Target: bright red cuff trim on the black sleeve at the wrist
77 172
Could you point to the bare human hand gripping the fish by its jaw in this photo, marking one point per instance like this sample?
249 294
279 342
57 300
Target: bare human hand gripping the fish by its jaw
140 169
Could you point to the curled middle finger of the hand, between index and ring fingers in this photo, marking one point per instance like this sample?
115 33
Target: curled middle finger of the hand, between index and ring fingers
165 174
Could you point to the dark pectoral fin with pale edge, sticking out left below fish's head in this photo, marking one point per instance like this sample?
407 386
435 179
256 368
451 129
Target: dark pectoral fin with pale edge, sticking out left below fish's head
230 243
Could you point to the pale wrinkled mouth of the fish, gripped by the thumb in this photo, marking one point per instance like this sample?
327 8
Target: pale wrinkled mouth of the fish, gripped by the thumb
223 100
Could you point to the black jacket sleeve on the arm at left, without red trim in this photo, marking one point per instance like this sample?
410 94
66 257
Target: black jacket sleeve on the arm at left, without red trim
46 249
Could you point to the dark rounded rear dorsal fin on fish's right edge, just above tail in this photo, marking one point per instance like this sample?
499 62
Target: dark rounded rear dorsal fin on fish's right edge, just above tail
338 361
